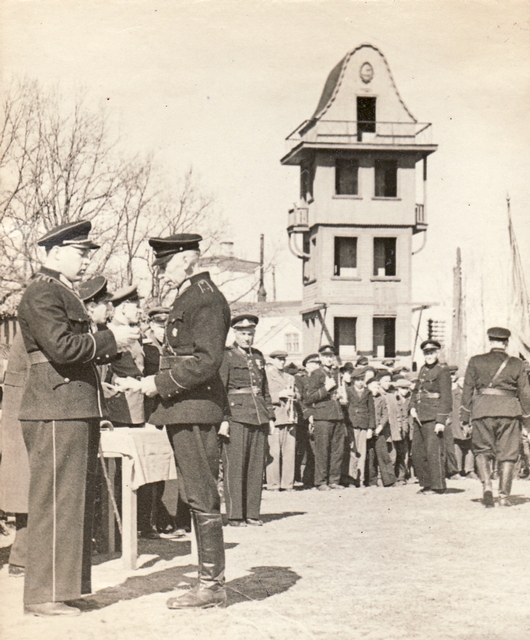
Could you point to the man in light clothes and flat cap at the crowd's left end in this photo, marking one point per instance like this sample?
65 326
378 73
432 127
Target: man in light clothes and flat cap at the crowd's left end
282 443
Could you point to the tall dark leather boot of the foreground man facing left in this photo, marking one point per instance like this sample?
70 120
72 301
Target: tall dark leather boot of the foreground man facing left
210 592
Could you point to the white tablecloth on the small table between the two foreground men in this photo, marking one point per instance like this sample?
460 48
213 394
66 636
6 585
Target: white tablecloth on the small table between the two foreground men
149 448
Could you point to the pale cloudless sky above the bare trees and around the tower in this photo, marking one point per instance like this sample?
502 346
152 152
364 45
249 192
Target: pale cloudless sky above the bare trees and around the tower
219 85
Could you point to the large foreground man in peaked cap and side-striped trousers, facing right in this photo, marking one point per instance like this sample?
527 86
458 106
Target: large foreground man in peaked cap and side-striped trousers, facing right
60 415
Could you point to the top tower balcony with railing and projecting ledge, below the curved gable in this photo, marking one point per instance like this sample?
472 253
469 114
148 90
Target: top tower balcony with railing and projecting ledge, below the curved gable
352 134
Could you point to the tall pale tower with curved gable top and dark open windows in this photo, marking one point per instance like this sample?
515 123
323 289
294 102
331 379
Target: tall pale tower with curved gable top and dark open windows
363 173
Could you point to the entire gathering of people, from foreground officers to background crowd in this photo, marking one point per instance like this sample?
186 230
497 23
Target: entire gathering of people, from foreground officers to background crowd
80 363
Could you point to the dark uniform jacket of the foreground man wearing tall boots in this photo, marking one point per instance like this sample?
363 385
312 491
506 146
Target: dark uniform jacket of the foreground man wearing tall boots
189 386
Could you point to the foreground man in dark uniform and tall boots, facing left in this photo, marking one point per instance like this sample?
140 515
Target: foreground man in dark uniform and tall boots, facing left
192 402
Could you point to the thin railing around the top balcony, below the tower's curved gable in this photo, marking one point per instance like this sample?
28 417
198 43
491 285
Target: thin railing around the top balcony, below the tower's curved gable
351 132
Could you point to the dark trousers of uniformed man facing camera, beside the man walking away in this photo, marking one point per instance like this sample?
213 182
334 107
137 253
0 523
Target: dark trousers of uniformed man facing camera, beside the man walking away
428 456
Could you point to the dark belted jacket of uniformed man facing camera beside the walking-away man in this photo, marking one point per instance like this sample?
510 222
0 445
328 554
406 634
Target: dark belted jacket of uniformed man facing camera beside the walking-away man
432 397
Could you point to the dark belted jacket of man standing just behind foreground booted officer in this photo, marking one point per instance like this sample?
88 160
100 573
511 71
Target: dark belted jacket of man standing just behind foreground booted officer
243 375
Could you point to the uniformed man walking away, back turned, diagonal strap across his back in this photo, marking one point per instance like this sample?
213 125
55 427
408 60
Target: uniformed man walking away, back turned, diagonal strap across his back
496 395
